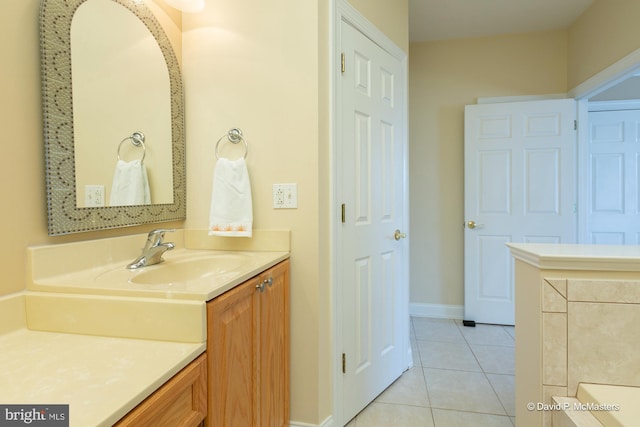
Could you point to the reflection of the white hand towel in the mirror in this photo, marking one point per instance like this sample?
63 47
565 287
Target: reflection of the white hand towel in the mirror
130 184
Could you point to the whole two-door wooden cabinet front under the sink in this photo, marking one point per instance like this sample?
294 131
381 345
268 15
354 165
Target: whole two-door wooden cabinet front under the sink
248 352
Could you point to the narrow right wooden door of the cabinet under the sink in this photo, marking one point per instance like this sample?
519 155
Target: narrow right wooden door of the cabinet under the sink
274 347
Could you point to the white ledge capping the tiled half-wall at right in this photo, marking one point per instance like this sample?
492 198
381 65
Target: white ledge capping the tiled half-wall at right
578 257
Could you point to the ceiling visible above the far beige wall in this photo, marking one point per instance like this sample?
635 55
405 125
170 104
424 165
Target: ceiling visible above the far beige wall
431 20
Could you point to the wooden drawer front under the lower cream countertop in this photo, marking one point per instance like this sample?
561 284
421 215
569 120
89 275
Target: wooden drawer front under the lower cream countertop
181 401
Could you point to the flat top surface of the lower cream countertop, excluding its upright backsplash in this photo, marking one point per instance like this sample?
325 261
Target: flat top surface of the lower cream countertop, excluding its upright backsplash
101 378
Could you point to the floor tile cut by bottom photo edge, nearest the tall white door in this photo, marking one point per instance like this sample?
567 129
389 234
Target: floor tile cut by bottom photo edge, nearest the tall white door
386 415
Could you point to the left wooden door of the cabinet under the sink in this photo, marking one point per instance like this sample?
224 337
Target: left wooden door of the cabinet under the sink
232 325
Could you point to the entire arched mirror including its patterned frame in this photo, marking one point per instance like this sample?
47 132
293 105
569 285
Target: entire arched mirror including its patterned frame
113 116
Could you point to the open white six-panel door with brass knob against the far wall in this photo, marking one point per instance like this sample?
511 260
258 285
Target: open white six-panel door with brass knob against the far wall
520 186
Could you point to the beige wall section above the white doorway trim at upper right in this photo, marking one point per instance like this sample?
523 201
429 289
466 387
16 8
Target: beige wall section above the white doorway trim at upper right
607 32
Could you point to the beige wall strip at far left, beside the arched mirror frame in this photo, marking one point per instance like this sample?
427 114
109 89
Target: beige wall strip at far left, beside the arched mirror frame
22 175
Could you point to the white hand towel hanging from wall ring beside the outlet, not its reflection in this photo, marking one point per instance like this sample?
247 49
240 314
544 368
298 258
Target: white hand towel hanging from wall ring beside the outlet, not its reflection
231 207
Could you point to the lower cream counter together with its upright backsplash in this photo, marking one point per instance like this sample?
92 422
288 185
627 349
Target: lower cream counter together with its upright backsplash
65 349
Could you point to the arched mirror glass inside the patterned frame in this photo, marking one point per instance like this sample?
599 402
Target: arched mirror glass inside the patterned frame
120 85
